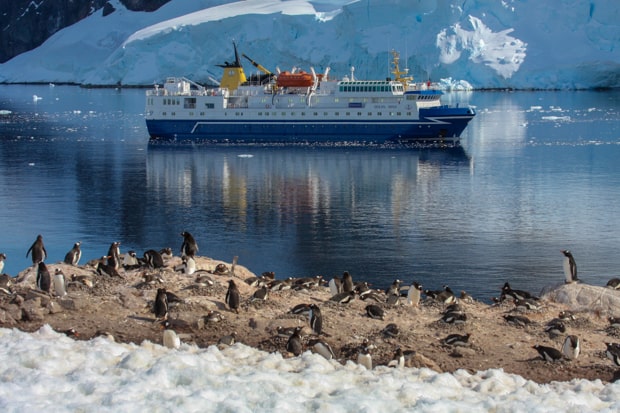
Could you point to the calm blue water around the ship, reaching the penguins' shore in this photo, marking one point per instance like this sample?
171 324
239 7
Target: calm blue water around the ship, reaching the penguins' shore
537 172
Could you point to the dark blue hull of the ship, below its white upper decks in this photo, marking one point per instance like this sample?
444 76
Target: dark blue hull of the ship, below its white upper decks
437 124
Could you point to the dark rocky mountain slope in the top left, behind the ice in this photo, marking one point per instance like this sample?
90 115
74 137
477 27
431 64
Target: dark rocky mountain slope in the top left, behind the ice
26 24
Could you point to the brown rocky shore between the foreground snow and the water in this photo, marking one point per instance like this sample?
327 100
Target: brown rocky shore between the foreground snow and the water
122 308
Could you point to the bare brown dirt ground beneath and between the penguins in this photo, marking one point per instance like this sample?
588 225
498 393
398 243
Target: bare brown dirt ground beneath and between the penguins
122 308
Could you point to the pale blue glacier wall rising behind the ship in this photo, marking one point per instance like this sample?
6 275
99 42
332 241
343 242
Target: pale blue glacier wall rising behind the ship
516 44
